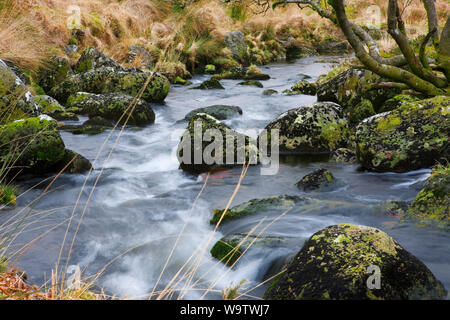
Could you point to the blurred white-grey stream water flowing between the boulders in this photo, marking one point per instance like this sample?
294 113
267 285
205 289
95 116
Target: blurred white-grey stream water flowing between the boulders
142 202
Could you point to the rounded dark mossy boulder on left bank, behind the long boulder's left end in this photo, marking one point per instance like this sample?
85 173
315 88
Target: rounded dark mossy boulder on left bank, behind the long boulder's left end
52 72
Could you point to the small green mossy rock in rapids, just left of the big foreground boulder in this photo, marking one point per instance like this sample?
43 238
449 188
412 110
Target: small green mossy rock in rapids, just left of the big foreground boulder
230 248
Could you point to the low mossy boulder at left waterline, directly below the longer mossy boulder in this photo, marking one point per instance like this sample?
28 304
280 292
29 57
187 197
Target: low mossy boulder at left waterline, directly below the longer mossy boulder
112 106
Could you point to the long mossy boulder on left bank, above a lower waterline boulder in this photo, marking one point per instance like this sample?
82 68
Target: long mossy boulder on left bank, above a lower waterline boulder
108 80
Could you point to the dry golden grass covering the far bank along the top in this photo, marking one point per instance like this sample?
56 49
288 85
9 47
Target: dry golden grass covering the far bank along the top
32 29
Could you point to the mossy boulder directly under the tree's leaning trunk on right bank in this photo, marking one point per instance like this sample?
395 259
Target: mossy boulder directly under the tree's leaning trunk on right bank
354 85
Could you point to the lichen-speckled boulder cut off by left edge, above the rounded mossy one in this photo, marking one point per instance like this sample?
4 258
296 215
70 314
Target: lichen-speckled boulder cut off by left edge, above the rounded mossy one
16 102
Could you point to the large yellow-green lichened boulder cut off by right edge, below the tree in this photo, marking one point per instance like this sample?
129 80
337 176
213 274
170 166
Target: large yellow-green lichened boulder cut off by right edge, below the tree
411 137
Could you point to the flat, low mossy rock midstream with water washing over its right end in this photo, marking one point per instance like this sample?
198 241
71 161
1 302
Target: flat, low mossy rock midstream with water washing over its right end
255 206
